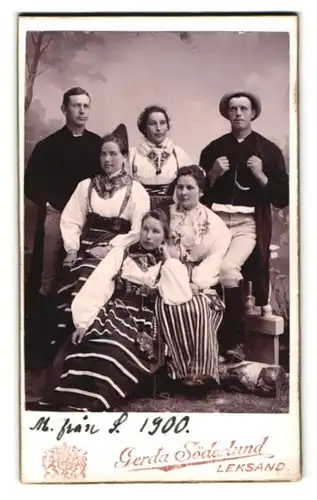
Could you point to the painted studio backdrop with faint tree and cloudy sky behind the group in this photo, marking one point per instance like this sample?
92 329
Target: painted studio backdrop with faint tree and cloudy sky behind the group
186 72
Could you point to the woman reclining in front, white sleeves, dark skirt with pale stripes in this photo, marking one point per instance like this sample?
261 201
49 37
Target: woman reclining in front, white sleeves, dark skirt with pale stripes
115 344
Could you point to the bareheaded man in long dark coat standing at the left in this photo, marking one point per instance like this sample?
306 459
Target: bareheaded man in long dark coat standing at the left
57 164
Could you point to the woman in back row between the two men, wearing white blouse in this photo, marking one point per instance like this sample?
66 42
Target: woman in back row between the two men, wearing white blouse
156 161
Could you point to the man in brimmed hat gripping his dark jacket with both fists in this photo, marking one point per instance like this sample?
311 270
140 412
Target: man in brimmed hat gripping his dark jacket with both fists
246 174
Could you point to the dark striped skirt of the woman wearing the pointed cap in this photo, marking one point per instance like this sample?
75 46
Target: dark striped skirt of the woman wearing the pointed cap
75 277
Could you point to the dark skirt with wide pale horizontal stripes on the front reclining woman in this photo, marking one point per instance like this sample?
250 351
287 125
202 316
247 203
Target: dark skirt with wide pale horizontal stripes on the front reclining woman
112 359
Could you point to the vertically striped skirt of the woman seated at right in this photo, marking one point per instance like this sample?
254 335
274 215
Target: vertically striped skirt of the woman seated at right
190 333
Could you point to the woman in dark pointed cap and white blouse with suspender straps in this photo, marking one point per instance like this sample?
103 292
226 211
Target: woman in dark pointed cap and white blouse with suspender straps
104 212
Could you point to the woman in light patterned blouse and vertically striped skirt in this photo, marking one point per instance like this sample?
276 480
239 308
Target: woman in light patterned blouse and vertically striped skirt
199 239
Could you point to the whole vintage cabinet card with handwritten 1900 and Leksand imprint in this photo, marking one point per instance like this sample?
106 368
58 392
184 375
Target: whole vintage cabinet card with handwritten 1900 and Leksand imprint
158 174
